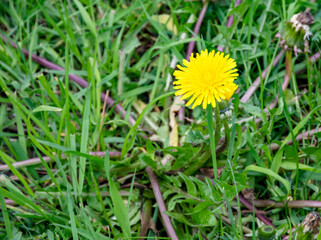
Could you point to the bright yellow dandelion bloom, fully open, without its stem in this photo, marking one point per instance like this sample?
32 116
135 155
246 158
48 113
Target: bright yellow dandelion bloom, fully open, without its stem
207 78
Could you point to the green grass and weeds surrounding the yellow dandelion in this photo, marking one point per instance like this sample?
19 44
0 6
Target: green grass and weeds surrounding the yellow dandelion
97 166
